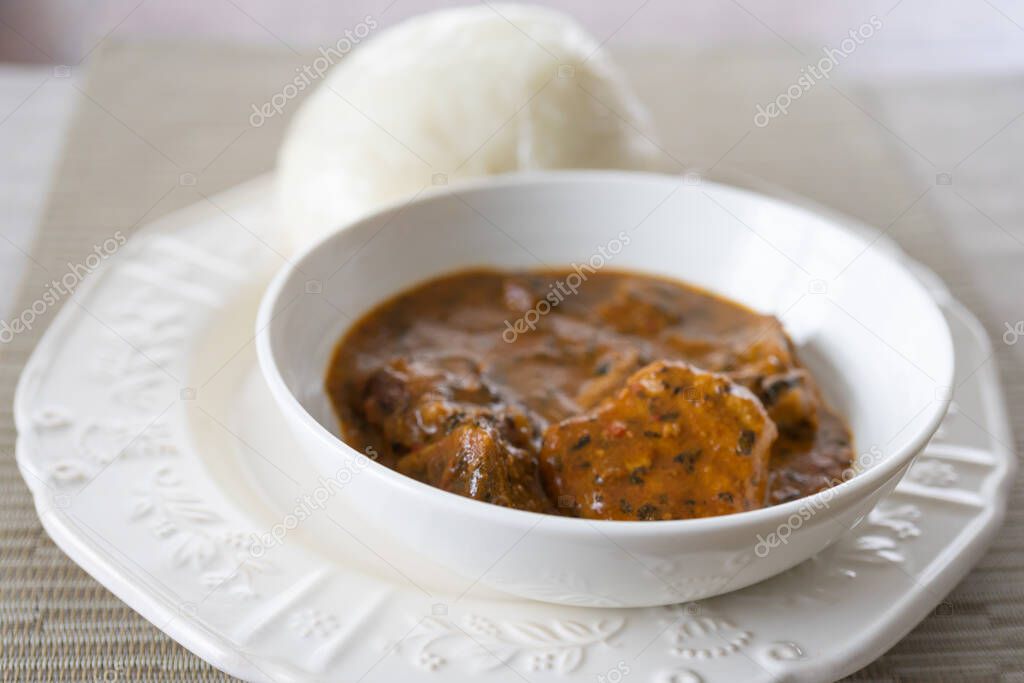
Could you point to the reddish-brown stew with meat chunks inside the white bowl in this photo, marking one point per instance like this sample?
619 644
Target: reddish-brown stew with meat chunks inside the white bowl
607 396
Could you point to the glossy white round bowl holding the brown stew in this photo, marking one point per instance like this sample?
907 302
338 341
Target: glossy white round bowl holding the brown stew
866 327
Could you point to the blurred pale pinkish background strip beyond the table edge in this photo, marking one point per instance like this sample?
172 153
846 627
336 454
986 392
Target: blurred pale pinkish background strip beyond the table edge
920 36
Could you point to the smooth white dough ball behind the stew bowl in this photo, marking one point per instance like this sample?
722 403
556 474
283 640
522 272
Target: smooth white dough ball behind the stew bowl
454 95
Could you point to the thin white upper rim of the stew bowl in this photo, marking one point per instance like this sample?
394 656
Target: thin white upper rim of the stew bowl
837 497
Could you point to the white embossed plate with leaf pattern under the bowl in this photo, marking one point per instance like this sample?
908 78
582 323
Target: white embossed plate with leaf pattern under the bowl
155 455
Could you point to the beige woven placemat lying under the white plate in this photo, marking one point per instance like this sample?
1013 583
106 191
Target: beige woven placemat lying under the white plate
157 124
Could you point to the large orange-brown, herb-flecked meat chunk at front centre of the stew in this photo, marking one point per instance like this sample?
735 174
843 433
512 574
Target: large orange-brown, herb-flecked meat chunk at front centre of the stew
675 443
